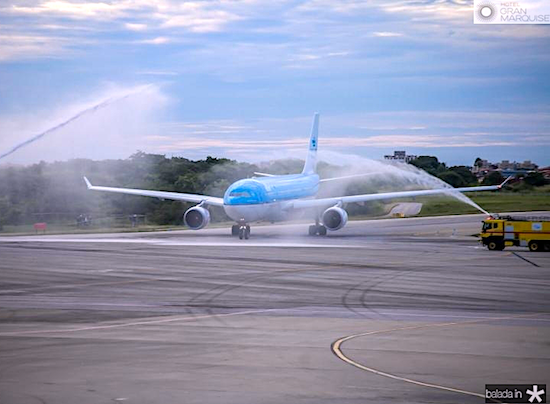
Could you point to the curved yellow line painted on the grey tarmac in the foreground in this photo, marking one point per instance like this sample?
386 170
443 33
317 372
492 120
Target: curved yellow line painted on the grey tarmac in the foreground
336 348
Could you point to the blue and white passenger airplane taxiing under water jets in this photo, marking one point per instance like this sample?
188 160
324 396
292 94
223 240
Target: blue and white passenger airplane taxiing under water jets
276 198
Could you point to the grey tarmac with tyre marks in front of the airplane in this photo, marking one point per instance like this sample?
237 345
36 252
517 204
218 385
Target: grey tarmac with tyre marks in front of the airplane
394 310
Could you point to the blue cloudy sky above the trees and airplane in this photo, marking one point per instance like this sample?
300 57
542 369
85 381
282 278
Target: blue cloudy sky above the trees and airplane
242 79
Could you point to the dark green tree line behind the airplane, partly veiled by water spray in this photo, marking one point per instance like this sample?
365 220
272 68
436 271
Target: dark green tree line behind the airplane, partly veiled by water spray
56 191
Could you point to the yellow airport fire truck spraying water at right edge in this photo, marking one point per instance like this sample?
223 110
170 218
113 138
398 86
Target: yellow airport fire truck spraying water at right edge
499 232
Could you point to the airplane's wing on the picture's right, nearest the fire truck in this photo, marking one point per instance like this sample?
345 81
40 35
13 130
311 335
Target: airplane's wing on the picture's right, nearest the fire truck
327 202
